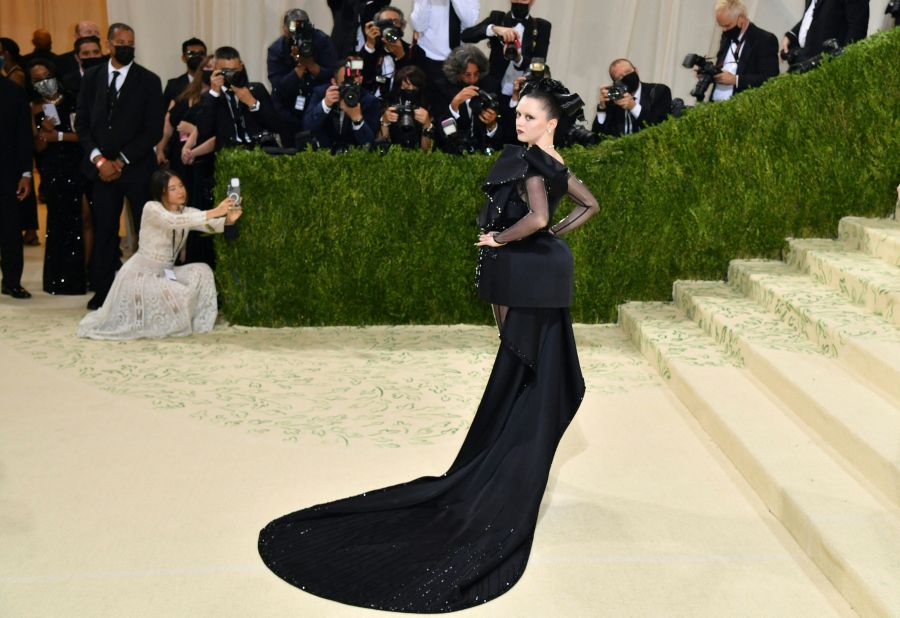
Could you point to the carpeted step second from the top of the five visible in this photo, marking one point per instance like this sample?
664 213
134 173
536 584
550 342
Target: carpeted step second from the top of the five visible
864 279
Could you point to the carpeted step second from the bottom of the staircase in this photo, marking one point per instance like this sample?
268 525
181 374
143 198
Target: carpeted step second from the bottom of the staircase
858 423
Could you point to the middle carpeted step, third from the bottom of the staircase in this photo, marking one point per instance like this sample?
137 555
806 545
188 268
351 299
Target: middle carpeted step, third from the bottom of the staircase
863 342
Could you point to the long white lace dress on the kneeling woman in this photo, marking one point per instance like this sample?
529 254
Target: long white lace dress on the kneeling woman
152 298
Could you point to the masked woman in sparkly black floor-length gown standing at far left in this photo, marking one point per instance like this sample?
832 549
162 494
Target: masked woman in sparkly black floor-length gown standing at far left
61 181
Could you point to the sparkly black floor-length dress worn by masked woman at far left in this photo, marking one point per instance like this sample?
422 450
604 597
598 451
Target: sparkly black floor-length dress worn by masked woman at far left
63 186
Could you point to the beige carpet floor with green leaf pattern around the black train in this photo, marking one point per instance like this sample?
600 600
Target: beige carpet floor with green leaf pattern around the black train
134 476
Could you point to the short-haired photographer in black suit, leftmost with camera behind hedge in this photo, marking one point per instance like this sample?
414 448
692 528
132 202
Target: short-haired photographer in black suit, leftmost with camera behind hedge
242 111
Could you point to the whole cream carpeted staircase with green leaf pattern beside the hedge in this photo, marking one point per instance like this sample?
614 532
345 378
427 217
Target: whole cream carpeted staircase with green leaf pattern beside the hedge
793 368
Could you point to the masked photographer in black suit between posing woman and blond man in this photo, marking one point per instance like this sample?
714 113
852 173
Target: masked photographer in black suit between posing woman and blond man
641 106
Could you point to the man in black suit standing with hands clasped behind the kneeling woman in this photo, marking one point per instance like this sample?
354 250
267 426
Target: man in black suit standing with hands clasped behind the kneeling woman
118 121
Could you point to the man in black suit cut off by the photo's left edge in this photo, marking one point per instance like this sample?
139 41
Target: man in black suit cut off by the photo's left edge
15 182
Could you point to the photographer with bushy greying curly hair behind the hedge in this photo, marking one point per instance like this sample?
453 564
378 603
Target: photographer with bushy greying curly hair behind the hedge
468 103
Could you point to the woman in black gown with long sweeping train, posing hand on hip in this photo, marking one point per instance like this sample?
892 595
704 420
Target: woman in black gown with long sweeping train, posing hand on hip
439 544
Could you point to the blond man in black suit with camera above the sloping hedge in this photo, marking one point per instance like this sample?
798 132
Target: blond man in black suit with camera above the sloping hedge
748 55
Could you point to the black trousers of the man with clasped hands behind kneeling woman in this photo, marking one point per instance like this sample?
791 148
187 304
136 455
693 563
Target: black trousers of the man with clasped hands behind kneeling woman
106 210
